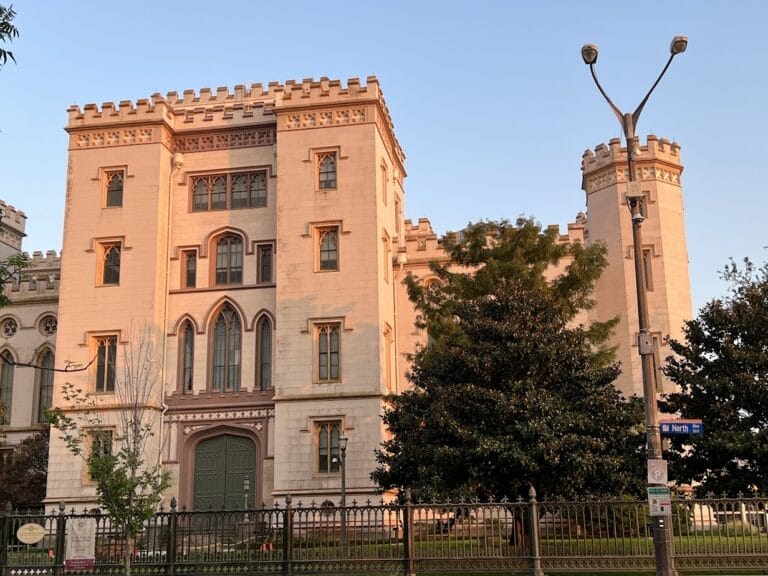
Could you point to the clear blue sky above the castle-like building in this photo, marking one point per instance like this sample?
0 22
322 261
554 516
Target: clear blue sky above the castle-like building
490 99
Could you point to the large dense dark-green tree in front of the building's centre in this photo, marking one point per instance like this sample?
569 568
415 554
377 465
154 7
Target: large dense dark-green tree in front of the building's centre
512 391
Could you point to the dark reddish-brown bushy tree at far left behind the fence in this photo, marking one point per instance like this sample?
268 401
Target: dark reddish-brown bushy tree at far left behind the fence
25 477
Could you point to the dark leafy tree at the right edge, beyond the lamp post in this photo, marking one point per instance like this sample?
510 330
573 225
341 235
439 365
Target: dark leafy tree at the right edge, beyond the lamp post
721 368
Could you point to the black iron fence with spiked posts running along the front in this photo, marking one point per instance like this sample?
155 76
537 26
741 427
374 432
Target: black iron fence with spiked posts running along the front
412 538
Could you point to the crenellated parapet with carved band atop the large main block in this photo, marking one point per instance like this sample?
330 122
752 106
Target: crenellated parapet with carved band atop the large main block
243 116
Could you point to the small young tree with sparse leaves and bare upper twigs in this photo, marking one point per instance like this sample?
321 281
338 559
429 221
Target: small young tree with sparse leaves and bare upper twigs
122 455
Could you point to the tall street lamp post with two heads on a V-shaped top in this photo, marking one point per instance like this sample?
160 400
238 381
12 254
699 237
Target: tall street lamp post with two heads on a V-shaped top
662 530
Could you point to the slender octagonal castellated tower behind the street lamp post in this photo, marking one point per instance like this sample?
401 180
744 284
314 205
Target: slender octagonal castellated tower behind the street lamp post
665 261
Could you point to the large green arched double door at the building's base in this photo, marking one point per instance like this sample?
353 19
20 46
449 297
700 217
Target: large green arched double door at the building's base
222 464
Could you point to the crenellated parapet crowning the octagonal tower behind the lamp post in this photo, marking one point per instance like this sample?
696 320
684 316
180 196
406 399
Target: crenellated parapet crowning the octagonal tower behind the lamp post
606 165
